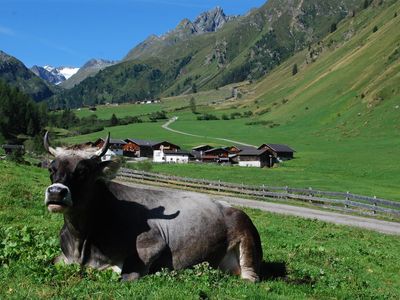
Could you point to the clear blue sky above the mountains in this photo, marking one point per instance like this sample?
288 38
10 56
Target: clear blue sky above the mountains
70 32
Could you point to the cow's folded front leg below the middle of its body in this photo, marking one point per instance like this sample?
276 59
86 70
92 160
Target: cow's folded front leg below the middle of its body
149 246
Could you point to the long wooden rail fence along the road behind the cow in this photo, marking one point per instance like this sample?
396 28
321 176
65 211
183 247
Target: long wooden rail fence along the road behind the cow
333 200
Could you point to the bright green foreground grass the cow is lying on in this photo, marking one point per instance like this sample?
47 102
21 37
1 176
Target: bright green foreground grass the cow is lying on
322 260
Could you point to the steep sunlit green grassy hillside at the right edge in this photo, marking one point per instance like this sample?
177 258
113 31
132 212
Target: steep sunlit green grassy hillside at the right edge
348 82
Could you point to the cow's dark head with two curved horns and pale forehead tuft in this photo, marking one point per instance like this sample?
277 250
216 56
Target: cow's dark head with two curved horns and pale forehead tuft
73 172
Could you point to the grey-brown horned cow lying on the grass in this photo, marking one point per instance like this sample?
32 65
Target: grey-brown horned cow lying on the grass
138 231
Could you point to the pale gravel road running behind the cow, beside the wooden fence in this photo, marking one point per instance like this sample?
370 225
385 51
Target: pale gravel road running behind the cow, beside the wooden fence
308 213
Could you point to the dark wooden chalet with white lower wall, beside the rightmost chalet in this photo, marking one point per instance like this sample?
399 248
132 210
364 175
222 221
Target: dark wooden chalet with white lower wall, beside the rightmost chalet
255 158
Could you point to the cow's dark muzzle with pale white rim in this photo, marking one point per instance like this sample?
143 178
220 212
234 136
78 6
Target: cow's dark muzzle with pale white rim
58 198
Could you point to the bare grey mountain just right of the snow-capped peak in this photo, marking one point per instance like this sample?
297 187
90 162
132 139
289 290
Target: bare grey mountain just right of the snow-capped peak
90 68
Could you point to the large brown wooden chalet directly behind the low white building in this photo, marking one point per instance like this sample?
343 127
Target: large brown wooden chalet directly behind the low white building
145 148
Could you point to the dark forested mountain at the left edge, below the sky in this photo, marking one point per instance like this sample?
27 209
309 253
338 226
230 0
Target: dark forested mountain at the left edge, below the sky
15 73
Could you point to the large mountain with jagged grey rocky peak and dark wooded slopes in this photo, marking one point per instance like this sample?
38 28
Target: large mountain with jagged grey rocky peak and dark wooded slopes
212 51
